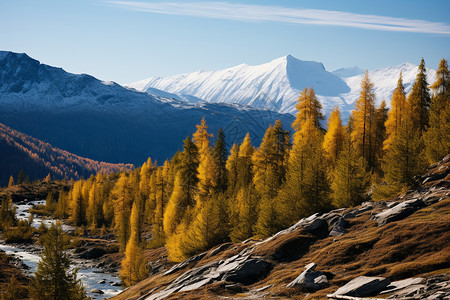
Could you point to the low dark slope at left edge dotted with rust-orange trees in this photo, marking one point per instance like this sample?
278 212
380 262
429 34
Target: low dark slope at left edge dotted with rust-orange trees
19 151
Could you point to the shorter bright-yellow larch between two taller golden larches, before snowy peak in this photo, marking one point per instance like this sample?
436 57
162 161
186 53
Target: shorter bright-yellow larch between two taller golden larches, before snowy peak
335 136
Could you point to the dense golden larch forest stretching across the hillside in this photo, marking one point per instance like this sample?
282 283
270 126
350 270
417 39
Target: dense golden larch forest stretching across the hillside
204 196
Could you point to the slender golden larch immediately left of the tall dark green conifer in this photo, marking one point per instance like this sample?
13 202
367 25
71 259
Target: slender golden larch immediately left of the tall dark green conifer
396 113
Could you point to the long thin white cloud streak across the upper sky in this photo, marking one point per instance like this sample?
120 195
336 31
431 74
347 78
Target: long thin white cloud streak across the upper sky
244 12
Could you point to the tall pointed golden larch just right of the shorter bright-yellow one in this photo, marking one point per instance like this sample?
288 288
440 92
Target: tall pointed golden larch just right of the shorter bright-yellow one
363 133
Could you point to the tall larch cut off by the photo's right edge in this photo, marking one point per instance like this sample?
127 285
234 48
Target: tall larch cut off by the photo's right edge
436 138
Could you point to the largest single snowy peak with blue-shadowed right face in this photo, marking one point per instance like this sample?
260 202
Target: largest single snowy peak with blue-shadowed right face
274 85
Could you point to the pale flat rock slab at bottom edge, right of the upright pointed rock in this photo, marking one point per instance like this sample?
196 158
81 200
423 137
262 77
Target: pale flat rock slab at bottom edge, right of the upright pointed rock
363 286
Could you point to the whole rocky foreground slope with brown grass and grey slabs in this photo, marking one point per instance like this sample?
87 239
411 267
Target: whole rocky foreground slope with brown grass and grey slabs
398 248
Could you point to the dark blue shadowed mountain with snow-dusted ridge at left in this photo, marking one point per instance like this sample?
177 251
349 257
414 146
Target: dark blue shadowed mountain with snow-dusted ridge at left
107 122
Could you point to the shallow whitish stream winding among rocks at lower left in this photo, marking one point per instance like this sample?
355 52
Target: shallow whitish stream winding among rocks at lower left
88 275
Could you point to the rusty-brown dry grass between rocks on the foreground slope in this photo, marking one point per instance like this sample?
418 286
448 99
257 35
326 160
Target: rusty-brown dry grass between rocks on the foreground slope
419 245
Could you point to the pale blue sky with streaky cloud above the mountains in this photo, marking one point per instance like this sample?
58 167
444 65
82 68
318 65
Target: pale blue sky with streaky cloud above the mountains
125 41
